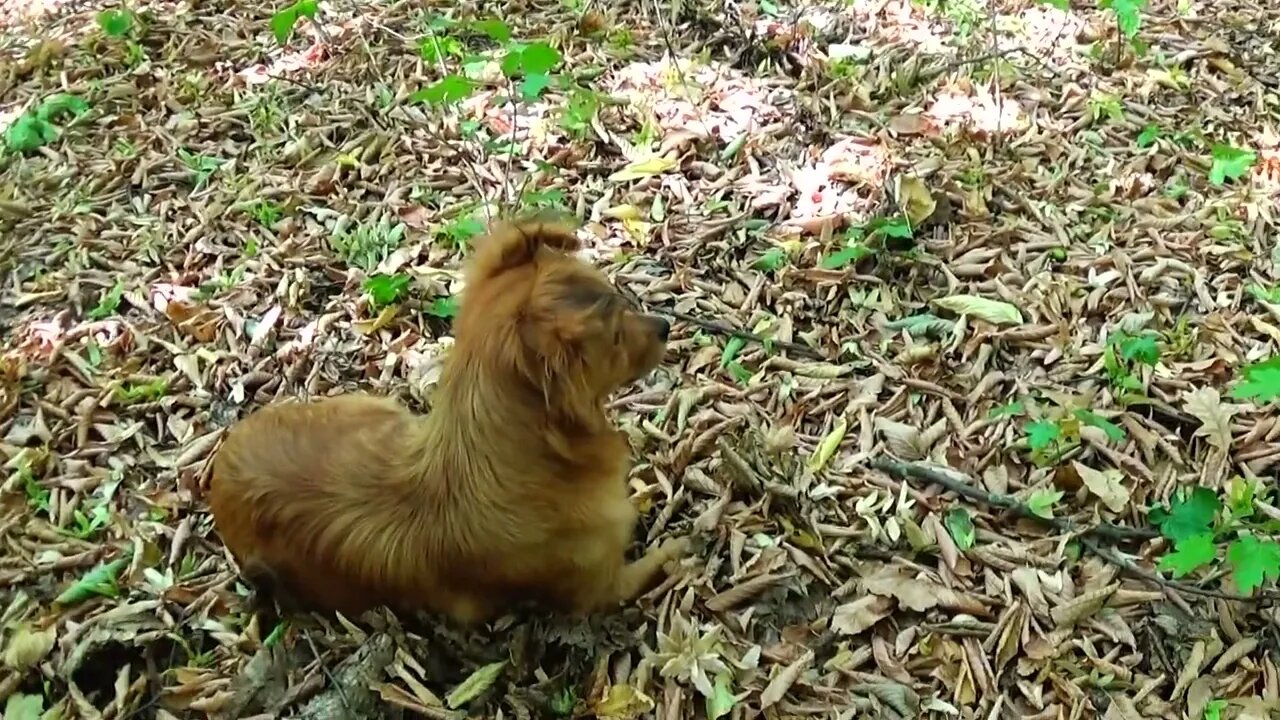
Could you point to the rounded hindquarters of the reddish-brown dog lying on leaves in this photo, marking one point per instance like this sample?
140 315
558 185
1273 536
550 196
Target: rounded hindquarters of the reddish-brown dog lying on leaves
305 493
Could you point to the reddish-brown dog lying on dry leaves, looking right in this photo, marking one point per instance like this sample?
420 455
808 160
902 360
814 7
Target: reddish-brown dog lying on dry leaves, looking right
511 489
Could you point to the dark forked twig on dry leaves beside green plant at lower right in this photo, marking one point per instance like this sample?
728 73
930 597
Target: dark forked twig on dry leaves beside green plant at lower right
1089 535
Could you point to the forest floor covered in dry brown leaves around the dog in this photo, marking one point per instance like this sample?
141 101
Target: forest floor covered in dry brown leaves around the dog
962 294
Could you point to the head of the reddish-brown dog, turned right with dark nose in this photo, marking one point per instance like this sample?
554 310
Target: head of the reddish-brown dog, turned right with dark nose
555 320
